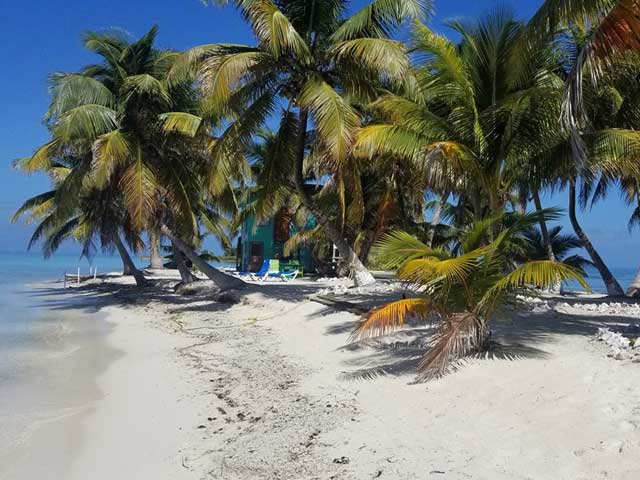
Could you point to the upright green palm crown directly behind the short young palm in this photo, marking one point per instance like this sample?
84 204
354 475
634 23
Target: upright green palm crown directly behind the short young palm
473 110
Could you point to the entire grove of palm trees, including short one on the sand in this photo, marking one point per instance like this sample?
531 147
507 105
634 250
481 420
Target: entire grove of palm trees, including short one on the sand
423 156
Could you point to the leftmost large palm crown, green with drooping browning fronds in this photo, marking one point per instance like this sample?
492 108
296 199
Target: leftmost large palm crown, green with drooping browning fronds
117 118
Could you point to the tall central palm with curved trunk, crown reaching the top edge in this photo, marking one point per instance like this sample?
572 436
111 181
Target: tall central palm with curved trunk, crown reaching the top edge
317 62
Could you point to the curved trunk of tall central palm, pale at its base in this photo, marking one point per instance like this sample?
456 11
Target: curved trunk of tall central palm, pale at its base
361 275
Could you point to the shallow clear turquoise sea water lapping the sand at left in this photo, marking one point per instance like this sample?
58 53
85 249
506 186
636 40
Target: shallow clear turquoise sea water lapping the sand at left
50 356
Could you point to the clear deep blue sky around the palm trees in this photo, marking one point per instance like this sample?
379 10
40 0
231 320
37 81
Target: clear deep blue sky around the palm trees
43 36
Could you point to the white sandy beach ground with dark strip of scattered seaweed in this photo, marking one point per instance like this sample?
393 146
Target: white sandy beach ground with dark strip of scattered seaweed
270 389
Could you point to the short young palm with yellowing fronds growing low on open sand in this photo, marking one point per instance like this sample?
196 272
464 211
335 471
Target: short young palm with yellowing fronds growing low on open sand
460 293
